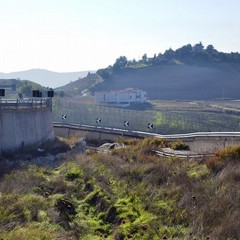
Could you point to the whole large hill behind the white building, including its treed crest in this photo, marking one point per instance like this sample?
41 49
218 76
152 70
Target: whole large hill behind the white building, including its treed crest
188 73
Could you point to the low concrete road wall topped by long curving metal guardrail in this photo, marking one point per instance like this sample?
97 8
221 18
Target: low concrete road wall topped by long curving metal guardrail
199 142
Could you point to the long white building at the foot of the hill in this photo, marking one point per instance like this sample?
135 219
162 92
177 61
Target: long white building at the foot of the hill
121 96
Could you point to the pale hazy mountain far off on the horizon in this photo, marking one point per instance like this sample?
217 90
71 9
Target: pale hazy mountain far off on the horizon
46 78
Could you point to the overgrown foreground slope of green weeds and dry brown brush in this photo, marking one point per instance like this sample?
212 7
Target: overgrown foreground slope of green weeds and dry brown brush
126 193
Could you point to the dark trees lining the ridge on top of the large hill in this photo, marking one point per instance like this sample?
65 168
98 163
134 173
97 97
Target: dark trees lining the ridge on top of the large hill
188 54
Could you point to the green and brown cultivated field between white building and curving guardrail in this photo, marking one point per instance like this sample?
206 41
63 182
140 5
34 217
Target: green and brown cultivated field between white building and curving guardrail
167 116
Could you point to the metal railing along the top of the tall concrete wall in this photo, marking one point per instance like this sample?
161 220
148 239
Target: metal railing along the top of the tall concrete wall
25 103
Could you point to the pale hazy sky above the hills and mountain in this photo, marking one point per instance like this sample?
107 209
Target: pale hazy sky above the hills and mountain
75 35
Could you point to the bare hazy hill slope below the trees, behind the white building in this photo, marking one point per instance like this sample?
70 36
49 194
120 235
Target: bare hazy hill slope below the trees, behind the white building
178 81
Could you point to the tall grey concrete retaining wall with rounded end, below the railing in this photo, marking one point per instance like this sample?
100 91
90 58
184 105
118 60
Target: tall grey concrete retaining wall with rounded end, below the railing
23 127
